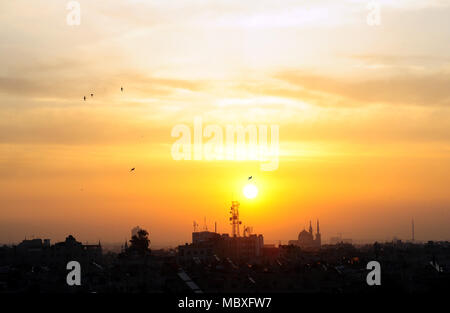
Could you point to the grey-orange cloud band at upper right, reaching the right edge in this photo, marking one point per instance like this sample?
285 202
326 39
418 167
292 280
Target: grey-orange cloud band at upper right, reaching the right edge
428 90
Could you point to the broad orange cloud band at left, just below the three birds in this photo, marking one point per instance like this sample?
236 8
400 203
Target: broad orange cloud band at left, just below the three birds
79 126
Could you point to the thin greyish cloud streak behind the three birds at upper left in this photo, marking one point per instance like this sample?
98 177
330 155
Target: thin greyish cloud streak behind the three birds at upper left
70 86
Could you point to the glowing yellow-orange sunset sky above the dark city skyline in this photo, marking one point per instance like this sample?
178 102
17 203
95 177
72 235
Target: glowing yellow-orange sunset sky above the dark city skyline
363 113
